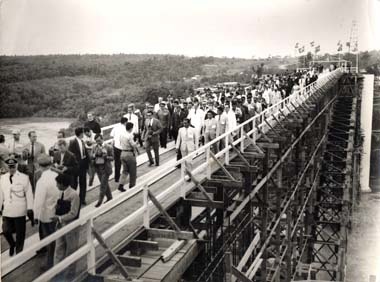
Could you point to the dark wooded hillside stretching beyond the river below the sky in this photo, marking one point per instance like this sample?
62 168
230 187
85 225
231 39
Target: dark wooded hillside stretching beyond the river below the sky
71 85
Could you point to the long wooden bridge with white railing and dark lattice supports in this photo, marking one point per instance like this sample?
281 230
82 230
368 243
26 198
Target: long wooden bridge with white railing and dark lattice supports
274 205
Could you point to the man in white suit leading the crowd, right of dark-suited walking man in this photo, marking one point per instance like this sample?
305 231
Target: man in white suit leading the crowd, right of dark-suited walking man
187 141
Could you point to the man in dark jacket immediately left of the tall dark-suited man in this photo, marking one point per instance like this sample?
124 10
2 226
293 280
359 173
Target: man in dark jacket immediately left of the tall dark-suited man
65 161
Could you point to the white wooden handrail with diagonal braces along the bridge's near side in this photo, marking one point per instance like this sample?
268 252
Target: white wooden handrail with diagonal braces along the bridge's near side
88 249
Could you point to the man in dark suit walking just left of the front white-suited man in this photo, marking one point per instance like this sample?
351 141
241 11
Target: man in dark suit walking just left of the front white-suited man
152 130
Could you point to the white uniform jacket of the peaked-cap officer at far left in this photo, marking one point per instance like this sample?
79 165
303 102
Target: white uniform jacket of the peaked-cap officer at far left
17 197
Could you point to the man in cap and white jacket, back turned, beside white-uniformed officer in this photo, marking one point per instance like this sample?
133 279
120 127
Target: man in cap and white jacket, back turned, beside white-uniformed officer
45 202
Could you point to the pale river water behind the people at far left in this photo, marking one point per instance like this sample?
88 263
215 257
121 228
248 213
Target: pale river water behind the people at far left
46 128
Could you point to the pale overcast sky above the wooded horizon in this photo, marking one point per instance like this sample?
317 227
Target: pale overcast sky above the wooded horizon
231 28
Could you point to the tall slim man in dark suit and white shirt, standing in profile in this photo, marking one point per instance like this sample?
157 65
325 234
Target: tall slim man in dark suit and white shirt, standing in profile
78 148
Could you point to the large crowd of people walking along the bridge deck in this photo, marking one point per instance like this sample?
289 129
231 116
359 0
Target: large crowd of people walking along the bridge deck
49 187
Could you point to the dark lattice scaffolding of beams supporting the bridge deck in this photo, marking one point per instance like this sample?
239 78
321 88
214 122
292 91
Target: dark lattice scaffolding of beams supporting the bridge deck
269 219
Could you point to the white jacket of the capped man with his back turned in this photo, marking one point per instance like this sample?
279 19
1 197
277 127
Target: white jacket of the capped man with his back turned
46 196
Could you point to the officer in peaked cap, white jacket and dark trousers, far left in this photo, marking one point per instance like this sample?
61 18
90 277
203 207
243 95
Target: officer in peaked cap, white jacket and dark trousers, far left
16 197
